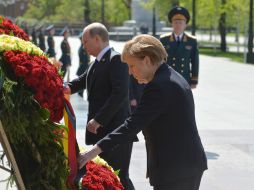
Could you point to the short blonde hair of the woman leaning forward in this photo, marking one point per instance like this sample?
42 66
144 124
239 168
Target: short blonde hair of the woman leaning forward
145 45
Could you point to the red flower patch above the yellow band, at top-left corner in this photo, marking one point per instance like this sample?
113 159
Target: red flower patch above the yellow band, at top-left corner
7 27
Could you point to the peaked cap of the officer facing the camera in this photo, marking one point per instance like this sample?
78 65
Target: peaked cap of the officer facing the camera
179 13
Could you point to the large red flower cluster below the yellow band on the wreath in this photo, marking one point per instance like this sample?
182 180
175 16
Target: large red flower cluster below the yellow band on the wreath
42 77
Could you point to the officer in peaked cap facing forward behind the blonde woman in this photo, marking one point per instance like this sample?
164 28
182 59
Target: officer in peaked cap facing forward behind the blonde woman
182 49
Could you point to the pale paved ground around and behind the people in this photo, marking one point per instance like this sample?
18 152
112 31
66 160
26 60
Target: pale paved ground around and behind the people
224 112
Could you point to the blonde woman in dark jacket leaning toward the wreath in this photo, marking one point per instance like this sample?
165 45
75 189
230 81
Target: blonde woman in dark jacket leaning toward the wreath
175 155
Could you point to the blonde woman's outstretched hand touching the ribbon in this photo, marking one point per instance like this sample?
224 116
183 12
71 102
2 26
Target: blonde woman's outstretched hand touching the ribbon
89 155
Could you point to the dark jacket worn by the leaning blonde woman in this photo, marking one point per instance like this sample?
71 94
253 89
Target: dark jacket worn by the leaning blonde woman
166 117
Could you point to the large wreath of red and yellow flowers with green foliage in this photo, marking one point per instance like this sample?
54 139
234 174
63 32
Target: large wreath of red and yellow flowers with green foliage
31 105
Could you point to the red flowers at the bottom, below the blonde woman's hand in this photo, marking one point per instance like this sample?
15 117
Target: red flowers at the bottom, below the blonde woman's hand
100 177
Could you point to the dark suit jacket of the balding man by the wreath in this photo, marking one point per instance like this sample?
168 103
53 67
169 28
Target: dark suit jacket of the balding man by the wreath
107 92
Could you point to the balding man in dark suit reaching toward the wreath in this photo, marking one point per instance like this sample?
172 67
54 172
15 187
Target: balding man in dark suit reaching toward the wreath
106 82
